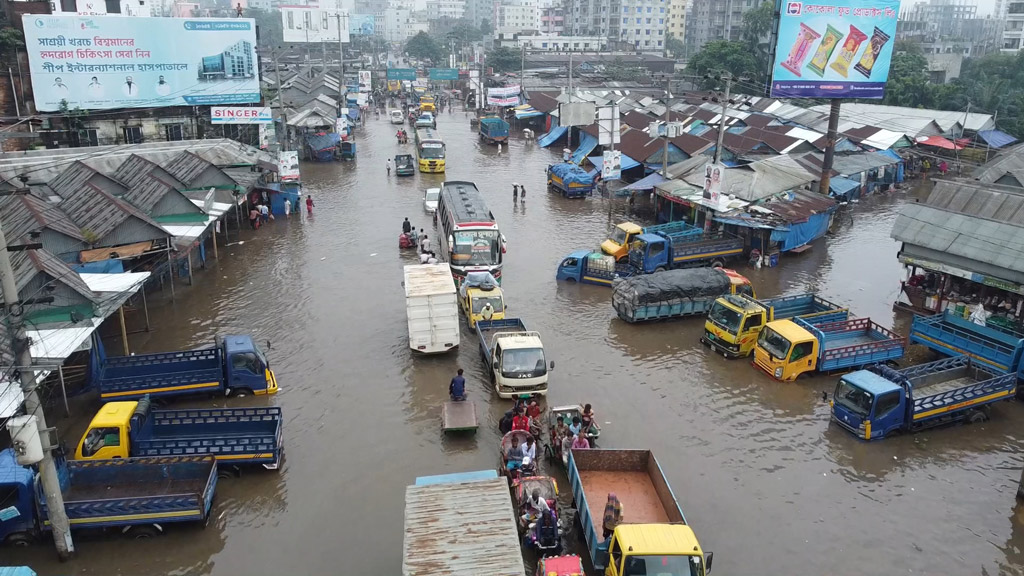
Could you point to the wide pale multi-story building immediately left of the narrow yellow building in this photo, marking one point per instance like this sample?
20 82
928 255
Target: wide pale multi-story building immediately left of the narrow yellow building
633 25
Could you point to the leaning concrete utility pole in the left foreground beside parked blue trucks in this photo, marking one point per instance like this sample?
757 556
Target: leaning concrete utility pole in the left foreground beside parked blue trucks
33 406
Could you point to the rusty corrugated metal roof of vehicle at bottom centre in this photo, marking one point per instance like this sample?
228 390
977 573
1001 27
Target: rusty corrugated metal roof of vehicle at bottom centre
464 529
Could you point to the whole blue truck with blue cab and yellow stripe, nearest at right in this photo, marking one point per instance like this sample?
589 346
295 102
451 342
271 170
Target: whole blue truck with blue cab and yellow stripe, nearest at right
880 402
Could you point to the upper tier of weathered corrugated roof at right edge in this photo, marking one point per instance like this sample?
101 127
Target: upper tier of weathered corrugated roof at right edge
993 202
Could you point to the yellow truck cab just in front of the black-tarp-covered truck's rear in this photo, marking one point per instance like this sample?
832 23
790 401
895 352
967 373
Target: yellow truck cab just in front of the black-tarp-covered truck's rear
734 325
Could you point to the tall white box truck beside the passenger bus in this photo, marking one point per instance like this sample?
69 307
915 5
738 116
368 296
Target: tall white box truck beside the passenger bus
433 309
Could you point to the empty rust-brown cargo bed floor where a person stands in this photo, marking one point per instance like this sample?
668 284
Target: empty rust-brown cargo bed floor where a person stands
634 489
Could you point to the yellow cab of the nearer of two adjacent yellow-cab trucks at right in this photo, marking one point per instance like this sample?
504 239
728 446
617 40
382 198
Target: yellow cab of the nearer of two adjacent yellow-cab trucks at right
786 350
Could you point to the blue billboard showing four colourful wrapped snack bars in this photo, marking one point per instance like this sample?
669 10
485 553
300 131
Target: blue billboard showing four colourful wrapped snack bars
834 49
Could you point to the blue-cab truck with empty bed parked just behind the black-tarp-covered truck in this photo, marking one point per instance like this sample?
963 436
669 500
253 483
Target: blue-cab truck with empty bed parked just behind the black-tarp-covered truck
690 248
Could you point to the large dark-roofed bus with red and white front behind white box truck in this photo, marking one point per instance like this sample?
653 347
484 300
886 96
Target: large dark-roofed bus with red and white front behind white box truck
470 239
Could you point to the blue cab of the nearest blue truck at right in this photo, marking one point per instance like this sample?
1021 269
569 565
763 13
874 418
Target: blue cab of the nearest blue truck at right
869 405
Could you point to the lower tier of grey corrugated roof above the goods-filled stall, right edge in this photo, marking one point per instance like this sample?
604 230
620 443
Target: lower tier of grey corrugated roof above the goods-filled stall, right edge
962 236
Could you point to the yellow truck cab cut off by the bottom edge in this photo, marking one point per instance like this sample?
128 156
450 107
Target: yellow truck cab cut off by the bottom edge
656 549
